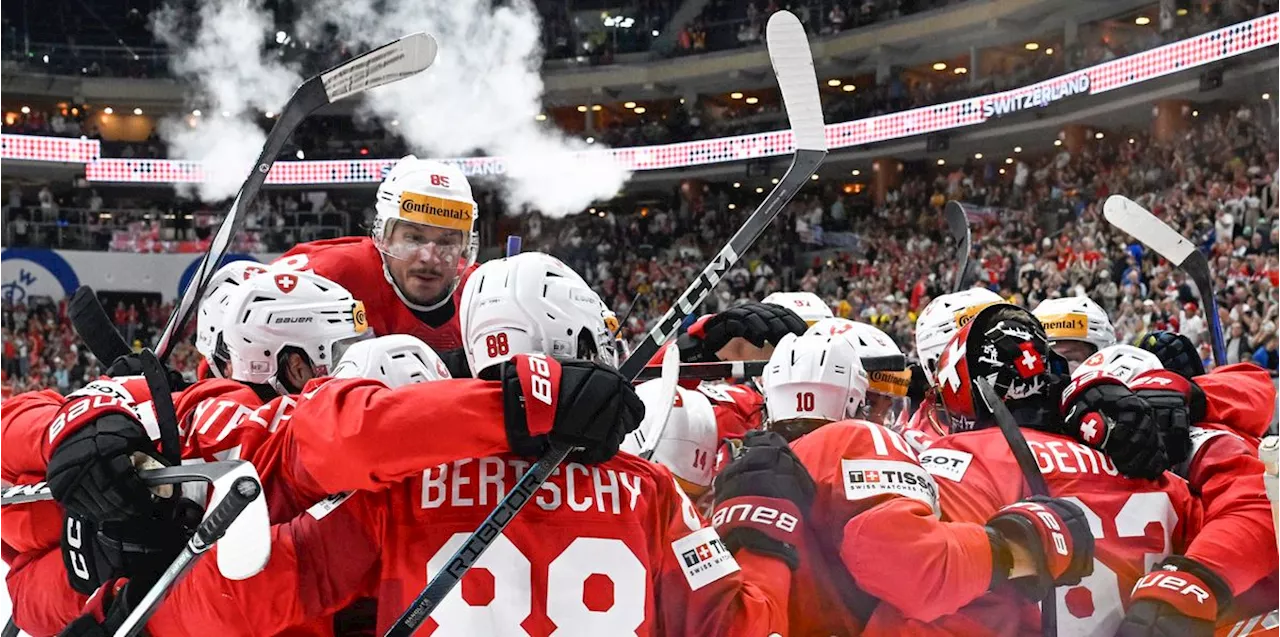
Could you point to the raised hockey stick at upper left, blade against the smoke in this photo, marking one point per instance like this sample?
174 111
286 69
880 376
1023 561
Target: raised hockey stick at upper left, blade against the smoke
383 66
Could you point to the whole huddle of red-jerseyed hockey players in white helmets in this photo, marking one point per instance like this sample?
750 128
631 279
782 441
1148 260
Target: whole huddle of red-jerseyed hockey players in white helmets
391 393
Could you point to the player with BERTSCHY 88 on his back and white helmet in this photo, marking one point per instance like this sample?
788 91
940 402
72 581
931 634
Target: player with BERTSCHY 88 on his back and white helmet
606 549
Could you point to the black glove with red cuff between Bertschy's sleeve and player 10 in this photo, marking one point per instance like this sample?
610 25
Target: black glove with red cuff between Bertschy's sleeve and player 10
762 498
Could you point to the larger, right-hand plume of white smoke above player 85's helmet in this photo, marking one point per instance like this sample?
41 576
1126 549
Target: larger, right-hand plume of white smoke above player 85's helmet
482 94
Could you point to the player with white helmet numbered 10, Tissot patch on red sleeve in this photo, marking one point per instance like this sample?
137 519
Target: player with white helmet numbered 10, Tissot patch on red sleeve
871 493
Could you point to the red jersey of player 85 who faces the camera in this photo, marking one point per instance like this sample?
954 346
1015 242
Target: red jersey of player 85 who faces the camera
355 264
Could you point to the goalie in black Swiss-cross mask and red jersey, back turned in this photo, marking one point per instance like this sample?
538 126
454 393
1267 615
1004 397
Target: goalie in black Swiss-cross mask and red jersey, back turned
1135 523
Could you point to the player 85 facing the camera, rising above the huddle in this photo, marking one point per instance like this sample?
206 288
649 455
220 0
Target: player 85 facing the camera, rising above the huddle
417 259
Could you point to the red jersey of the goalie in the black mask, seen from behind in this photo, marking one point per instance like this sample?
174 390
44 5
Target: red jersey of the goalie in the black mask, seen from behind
1136 524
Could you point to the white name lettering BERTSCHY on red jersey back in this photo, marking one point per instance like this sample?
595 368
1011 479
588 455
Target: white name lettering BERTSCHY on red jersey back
484 482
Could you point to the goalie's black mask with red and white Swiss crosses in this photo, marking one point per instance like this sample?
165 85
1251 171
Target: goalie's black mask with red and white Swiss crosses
1007 346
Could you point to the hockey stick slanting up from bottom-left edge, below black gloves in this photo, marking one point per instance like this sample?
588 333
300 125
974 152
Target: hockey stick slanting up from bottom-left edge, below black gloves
244 492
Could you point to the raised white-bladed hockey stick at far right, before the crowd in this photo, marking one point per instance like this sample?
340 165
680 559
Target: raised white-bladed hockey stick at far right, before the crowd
1141 224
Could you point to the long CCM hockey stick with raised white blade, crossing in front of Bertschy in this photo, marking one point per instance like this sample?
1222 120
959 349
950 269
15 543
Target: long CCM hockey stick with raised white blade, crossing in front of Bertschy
793 65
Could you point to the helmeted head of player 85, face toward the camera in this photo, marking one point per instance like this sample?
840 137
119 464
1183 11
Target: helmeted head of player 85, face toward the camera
426 228
